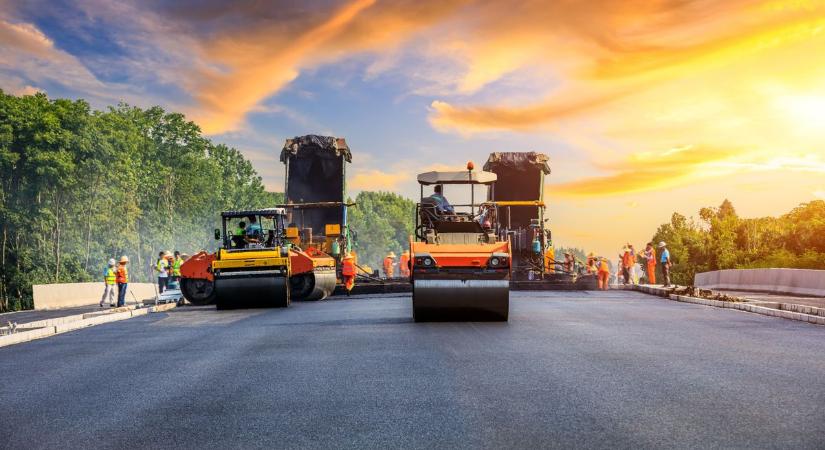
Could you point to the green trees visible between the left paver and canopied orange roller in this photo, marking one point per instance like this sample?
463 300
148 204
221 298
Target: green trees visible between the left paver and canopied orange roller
383 222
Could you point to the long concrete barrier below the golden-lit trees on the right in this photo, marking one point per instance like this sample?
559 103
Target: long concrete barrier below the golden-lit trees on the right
777 281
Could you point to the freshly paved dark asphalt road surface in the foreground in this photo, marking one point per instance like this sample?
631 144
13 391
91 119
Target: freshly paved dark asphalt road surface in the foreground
570 369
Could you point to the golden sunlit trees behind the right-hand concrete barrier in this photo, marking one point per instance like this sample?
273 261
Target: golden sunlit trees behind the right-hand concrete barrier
720 239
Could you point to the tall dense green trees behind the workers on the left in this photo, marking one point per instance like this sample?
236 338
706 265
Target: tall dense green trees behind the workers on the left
78 187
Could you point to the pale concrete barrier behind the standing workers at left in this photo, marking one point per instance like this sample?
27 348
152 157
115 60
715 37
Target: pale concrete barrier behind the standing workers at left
66 295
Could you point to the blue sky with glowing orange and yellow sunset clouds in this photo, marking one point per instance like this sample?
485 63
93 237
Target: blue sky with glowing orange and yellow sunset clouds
645 107
